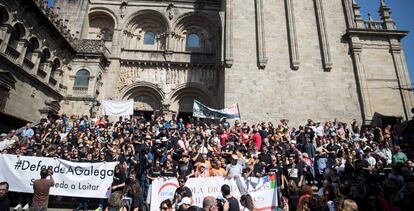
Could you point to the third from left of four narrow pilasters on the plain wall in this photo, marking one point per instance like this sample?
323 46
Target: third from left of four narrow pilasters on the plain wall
293 43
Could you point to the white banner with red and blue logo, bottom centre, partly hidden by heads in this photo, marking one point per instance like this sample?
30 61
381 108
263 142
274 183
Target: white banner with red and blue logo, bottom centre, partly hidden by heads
262 190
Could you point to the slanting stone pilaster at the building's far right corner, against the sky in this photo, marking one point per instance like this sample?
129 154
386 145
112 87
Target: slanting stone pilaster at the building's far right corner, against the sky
403 79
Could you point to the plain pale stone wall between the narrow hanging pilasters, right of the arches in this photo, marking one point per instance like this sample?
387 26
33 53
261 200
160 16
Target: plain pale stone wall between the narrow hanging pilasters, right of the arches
277 91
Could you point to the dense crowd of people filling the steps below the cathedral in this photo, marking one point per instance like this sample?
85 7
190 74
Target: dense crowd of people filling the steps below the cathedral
318 166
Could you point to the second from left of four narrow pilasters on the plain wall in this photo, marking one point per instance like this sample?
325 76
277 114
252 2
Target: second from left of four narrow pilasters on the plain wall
260 34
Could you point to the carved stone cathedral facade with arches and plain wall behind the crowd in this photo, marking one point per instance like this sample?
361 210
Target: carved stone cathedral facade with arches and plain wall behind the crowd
294 59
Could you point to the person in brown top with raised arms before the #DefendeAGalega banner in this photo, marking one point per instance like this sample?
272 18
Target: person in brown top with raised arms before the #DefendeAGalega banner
41 188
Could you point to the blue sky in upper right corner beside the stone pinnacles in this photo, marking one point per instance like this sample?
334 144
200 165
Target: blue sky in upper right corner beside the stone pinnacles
402 13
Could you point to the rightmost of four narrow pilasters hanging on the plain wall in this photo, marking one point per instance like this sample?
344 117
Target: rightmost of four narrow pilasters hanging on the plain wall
323 36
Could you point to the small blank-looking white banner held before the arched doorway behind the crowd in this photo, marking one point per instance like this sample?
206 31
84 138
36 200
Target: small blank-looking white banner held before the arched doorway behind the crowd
118 108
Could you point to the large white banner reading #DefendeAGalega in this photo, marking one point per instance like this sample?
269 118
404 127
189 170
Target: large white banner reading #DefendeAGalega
89 180
